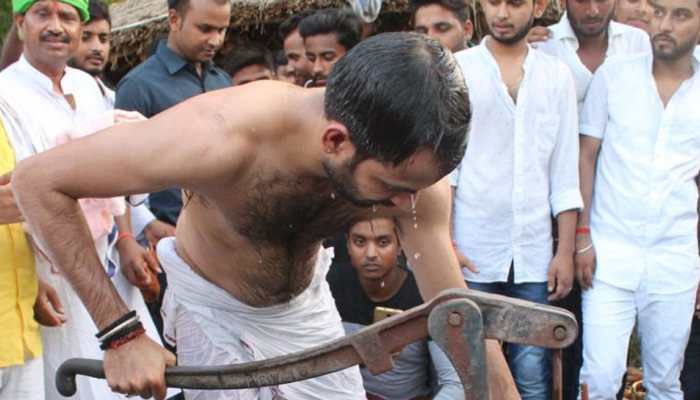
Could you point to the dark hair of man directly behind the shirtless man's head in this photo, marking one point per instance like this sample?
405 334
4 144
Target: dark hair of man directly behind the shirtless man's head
344 23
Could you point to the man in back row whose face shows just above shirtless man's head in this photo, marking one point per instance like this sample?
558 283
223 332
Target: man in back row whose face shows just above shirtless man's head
446 21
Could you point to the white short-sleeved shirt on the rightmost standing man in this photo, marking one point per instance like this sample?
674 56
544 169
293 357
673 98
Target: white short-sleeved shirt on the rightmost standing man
643 215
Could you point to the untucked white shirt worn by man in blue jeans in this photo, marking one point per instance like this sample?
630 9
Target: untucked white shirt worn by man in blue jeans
521 166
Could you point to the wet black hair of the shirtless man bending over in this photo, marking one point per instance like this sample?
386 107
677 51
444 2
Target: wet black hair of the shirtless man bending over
398 93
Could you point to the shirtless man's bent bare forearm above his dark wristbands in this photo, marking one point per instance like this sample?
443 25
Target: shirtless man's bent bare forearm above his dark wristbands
60 227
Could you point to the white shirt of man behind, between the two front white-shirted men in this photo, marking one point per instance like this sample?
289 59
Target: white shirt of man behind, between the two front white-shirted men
563 44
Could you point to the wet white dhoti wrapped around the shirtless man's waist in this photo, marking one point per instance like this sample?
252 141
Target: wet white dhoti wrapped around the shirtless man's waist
210 327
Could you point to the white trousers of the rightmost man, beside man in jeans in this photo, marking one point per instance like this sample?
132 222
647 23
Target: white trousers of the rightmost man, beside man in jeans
663 325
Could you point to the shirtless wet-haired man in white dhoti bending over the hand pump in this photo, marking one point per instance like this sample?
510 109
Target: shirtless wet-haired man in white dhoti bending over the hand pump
264 189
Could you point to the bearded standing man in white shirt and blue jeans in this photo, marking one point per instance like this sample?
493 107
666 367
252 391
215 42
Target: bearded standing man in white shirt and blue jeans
519 170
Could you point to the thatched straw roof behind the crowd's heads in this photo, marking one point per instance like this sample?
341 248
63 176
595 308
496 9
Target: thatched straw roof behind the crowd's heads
137 22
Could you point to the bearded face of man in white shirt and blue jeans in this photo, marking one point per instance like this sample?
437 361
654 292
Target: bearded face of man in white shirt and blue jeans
509 21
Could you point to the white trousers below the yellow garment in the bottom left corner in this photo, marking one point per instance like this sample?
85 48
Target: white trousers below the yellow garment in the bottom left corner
23 382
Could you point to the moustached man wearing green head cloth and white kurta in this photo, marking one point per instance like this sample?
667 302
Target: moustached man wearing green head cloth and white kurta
51 100
